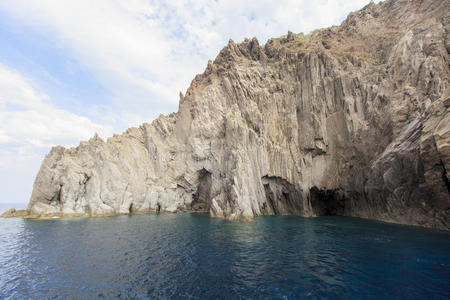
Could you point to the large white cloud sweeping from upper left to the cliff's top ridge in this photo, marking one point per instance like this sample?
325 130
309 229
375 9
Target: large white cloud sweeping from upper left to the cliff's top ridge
145 52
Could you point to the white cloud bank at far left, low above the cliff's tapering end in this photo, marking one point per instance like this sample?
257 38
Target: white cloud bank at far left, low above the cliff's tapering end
31 123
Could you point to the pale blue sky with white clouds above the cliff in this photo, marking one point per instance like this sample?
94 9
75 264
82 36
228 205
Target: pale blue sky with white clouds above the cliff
70 69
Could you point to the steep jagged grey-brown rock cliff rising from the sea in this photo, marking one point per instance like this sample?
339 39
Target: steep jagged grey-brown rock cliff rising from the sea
351 120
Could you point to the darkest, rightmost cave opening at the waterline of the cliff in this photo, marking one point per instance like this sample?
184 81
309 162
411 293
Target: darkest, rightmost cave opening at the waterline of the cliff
326 202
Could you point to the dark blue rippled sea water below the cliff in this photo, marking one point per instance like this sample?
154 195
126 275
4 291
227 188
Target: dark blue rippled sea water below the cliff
192 256
